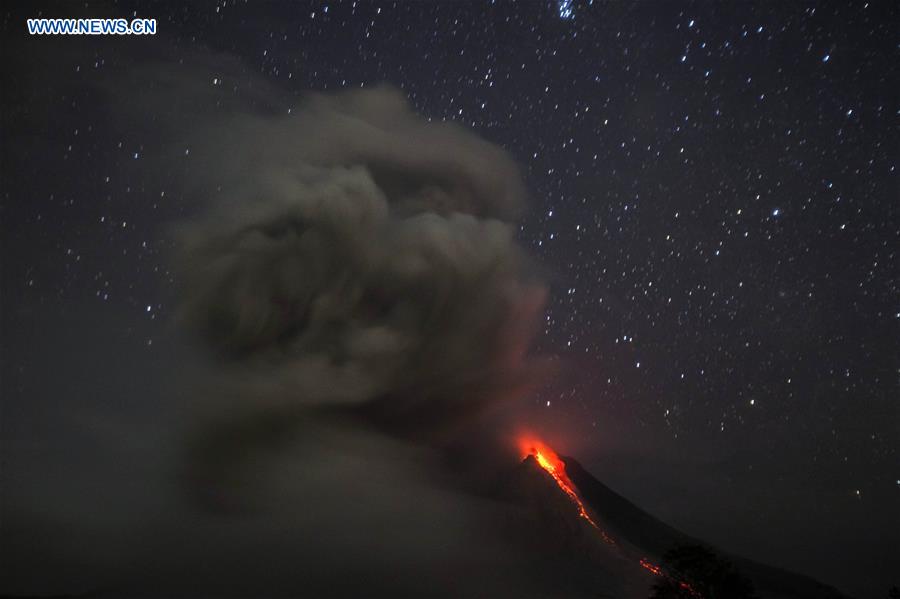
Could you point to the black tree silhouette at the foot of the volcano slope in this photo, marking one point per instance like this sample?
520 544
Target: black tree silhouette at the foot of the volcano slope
694 572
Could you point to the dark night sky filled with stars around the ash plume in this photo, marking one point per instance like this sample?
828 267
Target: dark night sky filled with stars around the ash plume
713 201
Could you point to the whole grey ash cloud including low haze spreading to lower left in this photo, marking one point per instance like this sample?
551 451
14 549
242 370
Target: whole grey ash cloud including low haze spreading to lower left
361 305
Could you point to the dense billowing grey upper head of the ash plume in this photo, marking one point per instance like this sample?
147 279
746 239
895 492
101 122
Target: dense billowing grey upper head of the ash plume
360 256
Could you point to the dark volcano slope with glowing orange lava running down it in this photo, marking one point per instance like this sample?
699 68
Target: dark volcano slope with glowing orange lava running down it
609 547
